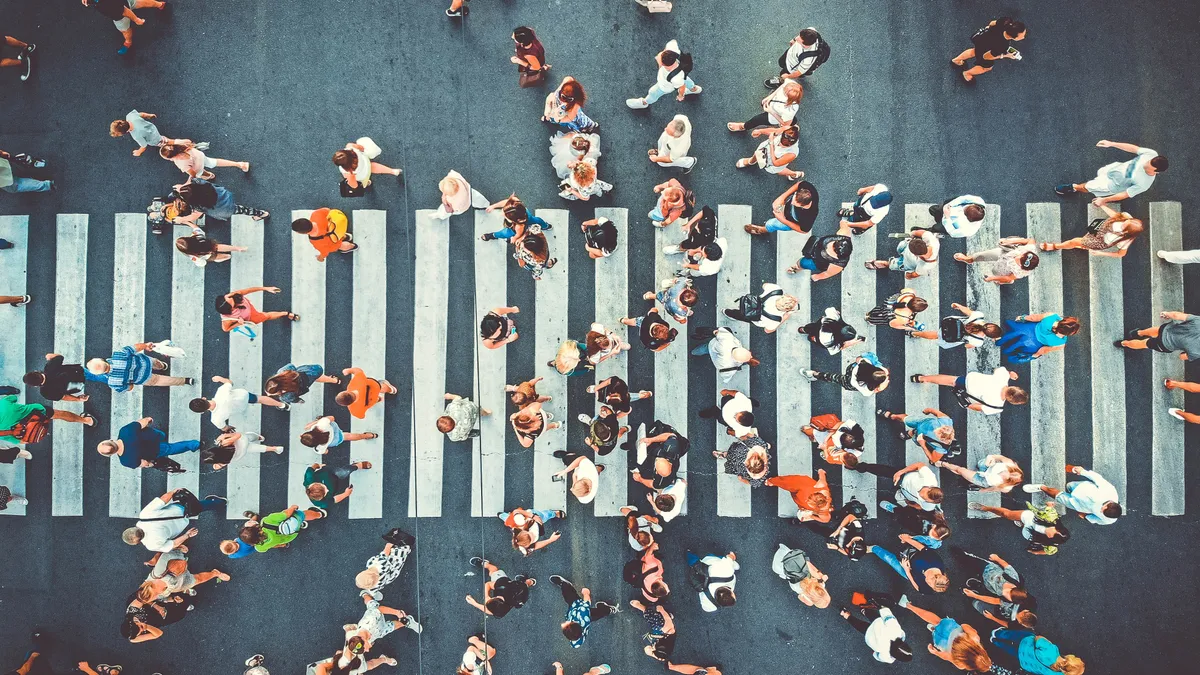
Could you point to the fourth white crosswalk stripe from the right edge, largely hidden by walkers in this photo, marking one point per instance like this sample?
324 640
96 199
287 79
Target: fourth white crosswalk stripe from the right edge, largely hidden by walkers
983 431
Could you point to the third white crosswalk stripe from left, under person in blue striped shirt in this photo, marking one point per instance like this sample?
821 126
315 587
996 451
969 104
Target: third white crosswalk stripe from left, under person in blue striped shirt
129 325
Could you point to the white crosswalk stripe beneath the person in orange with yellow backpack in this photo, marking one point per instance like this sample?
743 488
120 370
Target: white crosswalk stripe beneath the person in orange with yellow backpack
308 348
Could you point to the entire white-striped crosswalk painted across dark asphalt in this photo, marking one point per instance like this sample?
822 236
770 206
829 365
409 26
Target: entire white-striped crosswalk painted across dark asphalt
424 380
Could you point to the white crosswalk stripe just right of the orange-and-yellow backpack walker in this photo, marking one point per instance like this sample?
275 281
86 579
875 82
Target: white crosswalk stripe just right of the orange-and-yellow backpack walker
369 347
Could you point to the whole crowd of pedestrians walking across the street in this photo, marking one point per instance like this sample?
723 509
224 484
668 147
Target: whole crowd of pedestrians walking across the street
998 593
